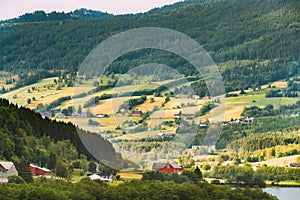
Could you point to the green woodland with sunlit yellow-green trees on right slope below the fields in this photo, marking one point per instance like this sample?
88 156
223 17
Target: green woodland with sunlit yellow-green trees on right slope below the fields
237 134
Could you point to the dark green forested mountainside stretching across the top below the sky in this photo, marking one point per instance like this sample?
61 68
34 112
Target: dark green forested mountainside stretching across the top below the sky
228 30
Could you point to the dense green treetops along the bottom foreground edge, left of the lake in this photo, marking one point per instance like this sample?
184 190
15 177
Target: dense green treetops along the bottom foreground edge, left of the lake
87 189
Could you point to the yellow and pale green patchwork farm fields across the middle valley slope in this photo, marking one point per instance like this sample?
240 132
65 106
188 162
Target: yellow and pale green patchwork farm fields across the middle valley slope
45 92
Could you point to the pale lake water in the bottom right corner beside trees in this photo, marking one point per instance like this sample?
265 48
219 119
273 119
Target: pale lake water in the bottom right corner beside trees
284 193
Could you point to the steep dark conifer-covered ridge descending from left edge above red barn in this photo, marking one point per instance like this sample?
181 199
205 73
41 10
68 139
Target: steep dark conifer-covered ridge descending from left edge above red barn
26 135
